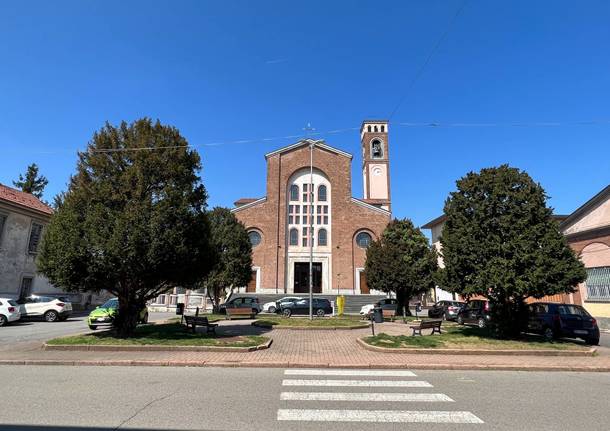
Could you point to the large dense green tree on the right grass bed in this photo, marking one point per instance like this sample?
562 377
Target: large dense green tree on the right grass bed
501 241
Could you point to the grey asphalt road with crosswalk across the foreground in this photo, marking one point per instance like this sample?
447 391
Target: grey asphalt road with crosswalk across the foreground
109 398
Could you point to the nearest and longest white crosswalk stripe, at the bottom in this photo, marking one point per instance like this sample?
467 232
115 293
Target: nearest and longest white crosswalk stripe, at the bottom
377 416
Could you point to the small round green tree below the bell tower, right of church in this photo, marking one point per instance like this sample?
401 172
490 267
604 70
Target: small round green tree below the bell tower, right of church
401 262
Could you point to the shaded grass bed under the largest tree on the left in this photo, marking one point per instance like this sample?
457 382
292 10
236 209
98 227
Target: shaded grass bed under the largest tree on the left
168 334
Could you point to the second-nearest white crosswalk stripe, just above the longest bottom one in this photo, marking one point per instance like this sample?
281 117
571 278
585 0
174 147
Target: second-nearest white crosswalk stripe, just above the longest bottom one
360 396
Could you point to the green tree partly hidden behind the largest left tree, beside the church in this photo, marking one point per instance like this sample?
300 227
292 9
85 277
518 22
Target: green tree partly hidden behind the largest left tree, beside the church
233 254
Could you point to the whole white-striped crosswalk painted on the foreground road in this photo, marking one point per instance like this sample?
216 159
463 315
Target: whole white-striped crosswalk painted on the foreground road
365 389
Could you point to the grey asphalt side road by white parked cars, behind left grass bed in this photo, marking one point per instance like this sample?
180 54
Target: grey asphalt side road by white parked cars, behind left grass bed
37 330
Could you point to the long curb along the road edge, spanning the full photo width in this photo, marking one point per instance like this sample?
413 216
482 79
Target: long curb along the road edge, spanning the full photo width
227 364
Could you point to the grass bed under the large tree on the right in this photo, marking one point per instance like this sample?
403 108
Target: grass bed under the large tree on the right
463 337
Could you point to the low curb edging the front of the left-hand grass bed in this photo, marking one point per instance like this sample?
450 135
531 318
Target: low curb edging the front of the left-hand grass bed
111 348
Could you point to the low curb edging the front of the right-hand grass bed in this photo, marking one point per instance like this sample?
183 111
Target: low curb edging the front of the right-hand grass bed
512 352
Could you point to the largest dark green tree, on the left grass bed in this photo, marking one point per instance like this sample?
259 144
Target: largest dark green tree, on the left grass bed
133 221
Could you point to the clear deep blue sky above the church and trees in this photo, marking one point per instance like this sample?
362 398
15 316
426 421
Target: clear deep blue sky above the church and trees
224 71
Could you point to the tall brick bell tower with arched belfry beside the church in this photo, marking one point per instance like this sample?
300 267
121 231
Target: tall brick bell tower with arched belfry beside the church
376 163
